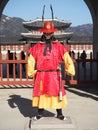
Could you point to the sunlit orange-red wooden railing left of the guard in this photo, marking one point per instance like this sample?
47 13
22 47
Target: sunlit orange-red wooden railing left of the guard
18 76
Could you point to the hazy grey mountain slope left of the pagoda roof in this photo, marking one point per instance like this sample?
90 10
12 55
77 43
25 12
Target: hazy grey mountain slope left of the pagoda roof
10 29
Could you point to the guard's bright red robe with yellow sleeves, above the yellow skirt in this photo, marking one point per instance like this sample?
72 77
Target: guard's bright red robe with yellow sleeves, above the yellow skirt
47 81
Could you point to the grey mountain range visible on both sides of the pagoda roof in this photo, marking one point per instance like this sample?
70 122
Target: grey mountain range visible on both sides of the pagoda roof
11 28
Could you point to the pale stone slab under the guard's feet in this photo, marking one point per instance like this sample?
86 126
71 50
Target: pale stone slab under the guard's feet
49 123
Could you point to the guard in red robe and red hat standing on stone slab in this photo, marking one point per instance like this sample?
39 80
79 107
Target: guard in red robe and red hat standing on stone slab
44 64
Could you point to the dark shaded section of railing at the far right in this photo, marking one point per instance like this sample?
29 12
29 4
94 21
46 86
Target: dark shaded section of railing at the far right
87 70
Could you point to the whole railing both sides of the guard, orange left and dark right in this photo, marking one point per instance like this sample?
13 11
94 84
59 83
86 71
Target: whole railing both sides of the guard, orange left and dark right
84 74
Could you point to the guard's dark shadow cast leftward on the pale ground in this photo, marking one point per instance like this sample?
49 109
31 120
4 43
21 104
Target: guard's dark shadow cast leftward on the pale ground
25 107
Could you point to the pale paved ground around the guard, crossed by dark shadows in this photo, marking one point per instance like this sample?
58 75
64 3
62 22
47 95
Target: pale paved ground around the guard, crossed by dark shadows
82 109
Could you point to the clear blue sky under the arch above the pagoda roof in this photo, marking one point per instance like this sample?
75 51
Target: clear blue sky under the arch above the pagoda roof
75 11
